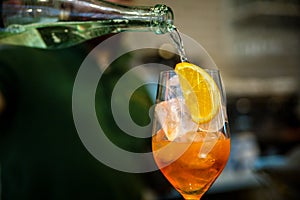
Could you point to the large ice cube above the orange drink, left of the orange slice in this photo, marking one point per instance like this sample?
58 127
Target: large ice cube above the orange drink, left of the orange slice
174 118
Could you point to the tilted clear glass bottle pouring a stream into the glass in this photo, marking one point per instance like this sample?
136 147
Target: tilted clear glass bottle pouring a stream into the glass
53 24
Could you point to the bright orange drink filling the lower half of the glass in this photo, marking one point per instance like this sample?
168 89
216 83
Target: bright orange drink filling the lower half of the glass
193 172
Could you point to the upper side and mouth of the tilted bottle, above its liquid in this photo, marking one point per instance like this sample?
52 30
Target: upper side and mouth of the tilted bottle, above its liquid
158 19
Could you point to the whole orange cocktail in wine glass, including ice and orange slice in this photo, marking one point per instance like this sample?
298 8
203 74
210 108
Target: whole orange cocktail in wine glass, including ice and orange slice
190 139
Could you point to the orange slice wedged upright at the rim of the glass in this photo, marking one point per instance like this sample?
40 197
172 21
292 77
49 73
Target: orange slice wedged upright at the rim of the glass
201 94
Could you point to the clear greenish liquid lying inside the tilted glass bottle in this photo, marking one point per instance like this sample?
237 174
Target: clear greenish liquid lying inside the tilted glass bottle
65 34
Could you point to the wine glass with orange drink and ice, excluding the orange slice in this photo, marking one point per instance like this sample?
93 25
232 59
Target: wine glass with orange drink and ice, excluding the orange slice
190 155
